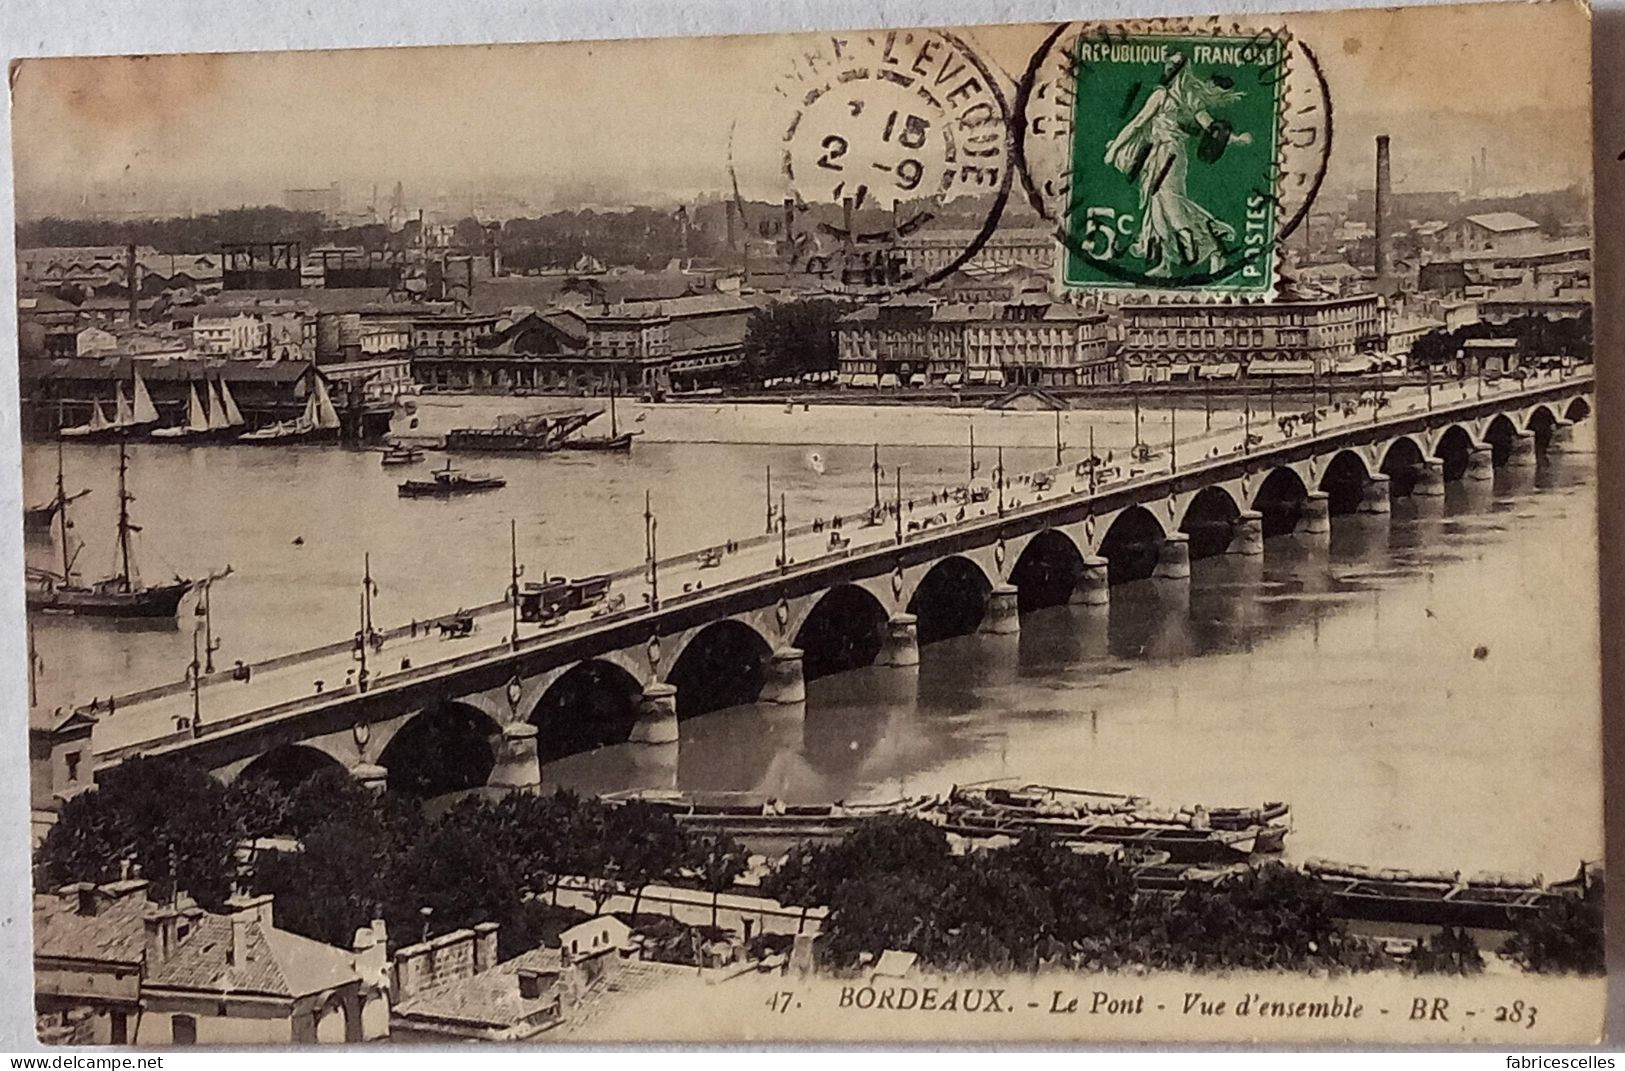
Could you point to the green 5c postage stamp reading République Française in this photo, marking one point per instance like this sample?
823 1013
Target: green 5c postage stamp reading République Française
1174 163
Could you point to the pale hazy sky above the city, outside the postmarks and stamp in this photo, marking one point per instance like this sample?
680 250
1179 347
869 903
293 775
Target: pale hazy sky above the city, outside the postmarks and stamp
617 121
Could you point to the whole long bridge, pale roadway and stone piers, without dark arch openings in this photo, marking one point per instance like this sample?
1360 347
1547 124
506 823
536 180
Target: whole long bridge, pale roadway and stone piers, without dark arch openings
417 667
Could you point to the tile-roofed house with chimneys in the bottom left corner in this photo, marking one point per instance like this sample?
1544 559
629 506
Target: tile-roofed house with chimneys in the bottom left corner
116 968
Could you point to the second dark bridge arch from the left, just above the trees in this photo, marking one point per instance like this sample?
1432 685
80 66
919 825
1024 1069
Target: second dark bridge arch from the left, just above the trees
448 748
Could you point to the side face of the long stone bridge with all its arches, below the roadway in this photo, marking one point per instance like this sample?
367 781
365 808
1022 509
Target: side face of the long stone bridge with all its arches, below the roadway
633 679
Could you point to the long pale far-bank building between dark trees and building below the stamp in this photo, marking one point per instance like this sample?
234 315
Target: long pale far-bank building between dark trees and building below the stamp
917 342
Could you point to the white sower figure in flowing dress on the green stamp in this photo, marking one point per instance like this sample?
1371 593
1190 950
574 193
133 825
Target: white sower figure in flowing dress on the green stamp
1151 150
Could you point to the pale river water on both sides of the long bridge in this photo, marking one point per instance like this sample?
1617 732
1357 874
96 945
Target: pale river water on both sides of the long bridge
1424 695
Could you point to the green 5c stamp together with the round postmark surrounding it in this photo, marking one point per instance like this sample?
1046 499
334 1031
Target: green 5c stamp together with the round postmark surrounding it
1174 155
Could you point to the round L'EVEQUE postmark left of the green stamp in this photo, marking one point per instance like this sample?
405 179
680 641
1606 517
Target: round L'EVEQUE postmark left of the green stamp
888 134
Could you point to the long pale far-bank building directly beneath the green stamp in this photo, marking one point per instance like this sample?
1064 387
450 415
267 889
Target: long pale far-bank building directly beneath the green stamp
1172 340
